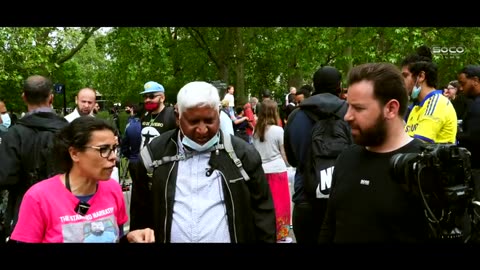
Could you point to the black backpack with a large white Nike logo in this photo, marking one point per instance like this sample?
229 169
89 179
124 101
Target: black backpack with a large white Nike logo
329 136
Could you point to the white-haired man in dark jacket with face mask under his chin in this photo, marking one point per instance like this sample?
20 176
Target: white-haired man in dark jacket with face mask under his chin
198 192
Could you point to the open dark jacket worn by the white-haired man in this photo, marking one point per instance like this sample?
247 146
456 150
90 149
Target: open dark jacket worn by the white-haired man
249 204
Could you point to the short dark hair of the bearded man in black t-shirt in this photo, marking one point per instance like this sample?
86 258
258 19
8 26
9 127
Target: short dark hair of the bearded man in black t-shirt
388 82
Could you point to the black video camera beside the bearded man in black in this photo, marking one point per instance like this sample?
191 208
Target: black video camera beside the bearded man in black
441 175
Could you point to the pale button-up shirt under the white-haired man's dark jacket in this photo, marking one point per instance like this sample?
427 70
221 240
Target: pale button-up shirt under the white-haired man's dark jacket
199 213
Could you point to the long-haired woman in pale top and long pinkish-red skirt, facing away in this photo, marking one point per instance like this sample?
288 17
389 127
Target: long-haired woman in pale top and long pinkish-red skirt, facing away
268 140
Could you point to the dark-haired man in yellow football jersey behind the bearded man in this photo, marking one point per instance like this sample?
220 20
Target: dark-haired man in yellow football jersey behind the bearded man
431 116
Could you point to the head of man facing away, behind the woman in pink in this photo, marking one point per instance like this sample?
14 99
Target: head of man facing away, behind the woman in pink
37 89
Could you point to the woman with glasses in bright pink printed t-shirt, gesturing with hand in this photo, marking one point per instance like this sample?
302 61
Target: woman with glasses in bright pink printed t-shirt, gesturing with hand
82 205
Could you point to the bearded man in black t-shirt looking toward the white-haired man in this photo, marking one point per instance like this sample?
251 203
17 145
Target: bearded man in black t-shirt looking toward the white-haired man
366 204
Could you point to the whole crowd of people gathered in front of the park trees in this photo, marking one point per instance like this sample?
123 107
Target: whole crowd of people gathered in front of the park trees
214 169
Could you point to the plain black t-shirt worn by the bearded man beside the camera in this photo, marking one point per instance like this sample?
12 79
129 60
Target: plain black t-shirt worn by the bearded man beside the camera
367 205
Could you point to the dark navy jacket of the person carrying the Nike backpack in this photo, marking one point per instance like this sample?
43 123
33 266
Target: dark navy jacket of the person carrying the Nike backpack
297 136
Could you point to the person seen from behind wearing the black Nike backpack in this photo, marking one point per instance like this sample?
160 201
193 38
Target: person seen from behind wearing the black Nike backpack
310 197
